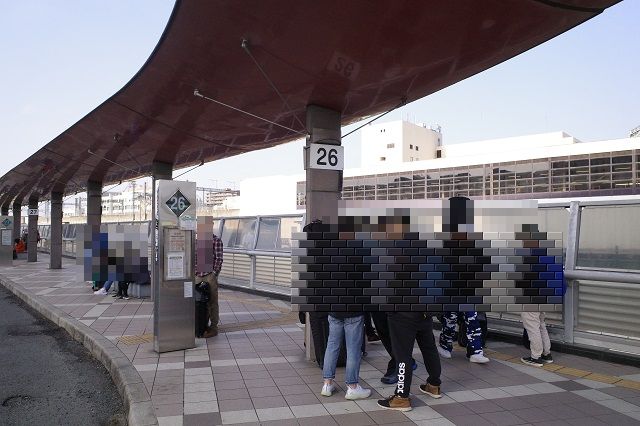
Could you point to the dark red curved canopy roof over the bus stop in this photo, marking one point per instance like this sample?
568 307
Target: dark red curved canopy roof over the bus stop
356 57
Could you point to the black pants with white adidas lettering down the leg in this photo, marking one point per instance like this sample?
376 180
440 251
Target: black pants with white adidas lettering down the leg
406 328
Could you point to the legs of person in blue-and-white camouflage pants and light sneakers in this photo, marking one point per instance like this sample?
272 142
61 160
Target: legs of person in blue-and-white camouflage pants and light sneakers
475 353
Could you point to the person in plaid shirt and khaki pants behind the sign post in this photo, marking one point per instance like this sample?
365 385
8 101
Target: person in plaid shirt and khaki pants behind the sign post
209 257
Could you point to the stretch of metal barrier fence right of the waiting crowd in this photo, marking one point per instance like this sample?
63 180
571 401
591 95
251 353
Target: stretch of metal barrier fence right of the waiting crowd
602 272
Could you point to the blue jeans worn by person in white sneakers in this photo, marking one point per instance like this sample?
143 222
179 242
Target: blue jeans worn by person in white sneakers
352 329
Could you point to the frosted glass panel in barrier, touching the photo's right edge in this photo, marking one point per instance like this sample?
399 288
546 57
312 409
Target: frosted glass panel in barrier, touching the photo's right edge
609 237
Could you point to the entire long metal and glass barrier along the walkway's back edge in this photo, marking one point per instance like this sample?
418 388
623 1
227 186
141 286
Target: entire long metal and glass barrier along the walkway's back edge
602 267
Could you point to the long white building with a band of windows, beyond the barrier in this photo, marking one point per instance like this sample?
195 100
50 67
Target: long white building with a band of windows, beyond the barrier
548 165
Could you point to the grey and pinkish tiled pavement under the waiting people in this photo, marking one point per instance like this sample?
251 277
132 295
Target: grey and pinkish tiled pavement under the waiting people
255 372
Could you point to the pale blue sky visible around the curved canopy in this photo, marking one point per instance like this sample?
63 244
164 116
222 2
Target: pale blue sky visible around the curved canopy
62 59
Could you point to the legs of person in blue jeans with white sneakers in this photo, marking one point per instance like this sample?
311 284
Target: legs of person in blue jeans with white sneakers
348 326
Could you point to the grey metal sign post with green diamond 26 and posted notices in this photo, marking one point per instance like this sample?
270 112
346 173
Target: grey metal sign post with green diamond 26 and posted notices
173 304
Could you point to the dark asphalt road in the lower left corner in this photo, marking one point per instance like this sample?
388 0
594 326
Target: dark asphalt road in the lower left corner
46 377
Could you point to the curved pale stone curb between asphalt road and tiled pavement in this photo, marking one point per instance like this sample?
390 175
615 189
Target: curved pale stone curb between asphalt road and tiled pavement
126 378
